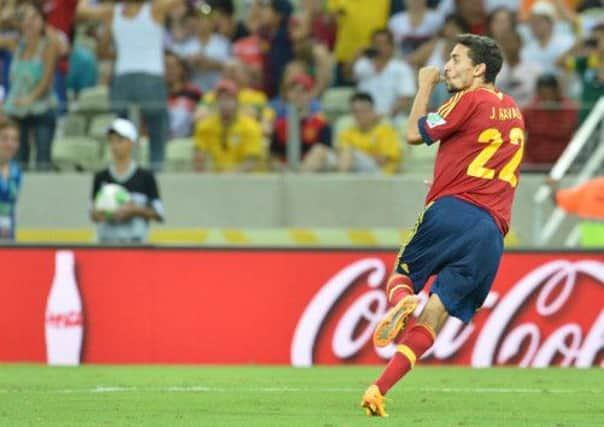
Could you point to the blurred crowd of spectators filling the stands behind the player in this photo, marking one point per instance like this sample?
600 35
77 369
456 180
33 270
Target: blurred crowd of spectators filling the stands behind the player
234 79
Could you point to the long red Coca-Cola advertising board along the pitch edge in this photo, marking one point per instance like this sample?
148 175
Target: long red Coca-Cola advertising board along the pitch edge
298 307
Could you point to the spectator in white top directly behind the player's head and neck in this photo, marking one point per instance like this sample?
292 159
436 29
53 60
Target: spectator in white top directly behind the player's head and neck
518 76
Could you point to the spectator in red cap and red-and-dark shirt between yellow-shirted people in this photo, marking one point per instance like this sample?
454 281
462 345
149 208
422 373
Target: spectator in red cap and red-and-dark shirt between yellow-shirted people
315 132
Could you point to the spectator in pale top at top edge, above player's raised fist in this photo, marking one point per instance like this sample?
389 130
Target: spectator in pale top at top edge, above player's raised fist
416 25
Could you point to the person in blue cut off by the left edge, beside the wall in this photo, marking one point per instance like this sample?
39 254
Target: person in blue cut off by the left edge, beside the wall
10 178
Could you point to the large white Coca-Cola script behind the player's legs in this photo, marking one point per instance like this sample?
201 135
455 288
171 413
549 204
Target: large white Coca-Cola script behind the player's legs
517 328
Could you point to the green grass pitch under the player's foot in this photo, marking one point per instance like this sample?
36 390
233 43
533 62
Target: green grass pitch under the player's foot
33 395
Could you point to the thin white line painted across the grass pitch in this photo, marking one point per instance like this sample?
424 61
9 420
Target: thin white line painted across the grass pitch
205 389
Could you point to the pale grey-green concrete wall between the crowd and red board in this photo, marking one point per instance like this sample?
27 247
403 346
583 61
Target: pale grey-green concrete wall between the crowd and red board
260 201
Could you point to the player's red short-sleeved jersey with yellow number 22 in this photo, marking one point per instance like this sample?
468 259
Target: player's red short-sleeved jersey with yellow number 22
481 134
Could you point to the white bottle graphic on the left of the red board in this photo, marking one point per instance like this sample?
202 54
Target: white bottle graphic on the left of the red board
64 320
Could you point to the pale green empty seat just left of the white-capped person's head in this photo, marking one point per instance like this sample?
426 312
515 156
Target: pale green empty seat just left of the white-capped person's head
76 153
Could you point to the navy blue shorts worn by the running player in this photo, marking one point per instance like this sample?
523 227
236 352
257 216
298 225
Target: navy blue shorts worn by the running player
462 245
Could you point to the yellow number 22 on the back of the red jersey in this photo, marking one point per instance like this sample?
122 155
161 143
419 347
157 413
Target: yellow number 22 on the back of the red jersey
493 137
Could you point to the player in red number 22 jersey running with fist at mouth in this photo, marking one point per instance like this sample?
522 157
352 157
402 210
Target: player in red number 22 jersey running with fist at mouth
459 235
